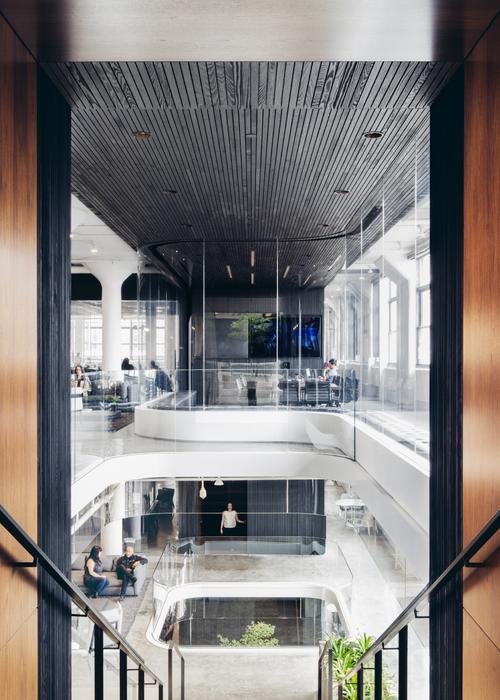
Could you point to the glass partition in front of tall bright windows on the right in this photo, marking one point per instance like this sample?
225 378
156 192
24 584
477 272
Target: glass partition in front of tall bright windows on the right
378 305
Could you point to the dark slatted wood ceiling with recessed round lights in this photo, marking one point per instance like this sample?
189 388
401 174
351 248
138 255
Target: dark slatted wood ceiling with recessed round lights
253 151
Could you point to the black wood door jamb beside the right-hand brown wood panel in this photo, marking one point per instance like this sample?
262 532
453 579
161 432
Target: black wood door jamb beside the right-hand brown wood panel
447 226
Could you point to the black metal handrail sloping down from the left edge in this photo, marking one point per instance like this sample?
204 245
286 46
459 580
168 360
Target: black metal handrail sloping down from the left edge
78 598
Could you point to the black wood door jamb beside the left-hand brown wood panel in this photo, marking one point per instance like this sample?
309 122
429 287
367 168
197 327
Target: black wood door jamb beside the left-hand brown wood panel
54 457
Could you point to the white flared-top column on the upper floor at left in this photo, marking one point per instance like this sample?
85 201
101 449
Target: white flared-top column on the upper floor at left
111 275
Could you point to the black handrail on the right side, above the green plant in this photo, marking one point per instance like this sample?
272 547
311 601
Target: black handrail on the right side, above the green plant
411 611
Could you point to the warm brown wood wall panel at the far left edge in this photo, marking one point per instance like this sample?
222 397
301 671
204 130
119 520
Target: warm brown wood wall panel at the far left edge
18 367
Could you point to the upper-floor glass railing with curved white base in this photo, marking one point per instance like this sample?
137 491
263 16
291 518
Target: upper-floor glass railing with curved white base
116 413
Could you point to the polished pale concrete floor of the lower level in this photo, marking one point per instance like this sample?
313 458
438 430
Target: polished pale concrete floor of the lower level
380 588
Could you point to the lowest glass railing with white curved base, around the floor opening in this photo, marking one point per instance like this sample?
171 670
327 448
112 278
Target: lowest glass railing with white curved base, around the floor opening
209 586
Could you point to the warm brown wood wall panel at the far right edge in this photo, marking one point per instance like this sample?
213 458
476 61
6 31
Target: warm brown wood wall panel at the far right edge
481 350
